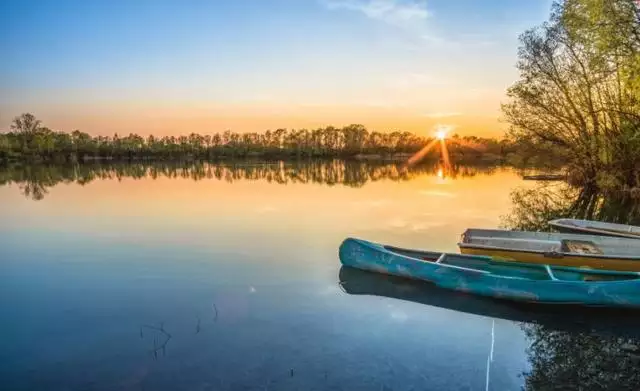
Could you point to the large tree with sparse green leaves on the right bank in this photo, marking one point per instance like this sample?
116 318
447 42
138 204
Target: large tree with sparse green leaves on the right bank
579 91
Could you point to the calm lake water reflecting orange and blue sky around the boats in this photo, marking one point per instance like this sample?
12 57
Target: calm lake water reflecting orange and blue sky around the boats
226 277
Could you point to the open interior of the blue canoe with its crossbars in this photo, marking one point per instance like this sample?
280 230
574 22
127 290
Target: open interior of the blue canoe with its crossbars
516 270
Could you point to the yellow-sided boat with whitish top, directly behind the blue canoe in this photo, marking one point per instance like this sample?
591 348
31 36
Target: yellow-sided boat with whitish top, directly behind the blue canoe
597 252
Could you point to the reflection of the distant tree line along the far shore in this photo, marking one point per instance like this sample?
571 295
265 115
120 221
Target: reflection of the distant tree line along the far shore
35 180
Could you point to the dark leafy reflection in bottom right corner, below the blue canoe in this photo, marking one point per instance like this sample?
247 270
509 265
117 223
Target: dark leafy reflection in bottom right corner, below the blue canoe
563 360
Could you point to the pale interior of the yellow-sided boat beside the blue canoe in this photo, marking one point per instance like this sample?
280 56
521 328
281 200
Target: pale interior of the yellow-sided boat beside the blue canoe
543 242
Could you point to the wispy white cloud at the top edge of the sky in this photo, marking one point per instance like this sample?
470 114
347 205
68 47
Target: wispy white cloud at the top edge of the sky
397 12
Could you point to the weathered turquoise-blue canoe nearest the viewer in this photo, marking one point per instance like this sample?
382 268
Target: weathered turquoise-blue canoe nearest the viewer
506 280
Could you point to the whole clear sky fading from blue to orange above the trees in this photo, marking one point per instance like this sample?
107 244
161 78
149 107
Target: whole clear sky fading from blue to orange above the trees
175 67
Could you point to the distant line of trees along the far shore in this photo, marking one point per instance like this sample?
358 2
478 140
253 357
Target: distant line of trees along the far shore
28 140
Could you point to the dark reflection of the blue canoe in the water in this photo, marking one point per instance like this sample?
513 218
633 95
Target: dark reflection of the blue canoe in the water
553 317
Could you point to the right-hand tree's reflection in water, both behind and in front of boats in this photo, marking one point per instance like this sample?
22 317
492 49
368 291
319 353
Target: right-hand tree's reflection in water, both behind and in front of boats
576 360
